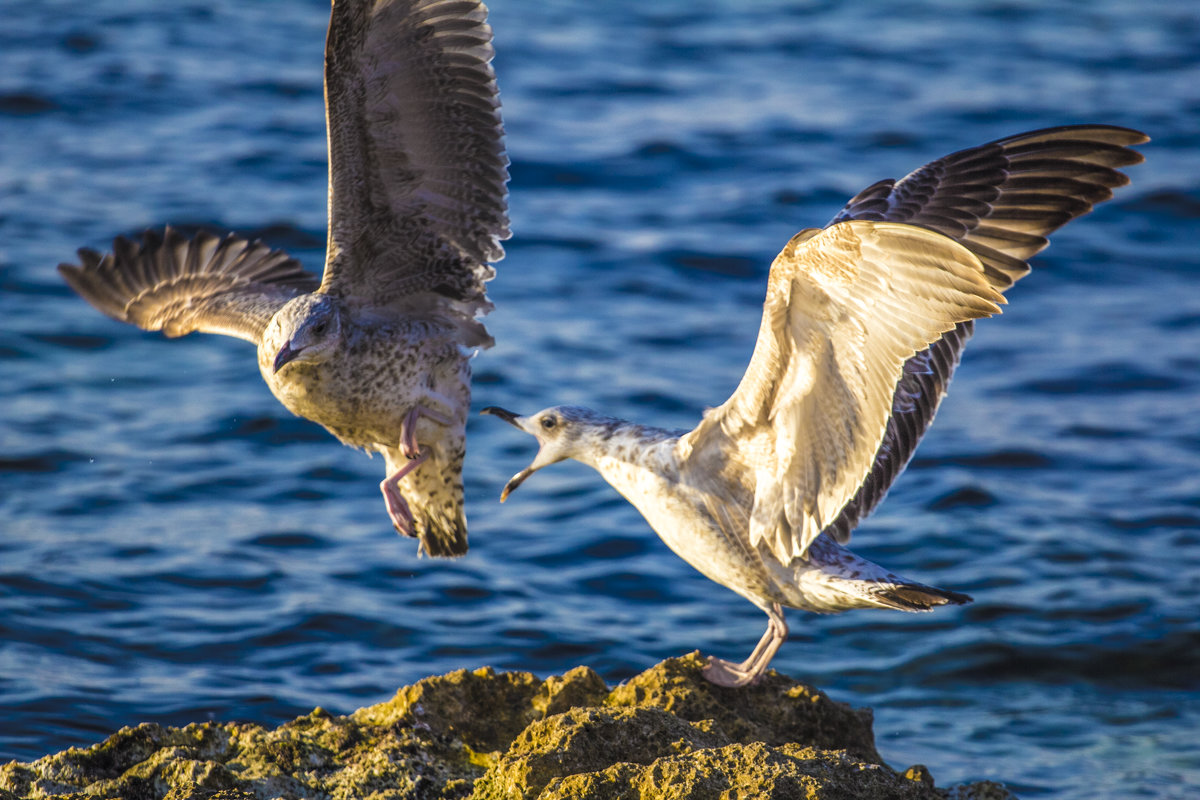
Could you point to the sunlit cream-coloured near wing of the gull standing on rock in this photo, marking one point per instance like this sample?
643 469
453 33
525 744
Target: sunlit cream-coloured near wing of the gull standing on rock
847 309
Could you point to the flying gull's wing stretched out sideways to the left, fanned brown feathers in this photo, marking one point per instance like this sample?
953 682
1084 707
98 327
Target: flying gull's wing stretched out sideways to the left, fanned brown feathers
178 285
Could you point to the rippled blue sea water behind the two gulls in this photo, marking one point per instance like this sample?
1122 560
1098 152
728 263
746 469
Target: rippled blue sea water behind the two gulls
177 548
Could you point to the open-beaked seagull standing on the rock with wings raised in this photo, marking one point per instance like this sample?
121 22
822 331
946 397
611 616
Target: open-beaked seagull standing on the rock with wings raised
863 326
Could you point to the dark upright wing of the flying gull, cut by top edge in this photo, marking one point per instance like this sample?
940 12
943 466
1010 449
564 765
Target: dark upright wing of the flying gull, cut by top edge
418 170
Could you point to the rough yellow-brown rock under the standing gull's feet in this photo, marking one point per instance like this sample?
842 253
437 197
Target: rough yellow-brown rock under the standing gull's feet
665 735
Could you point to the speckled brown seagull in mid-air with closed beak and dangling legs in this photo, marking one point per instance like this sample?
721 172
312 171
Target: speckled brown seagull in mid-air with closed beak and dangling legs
379 351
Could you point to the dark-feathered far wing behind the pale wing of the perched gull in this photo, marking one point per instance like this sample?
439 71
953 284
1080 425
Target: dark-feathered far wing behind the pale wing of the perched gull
1000 201
